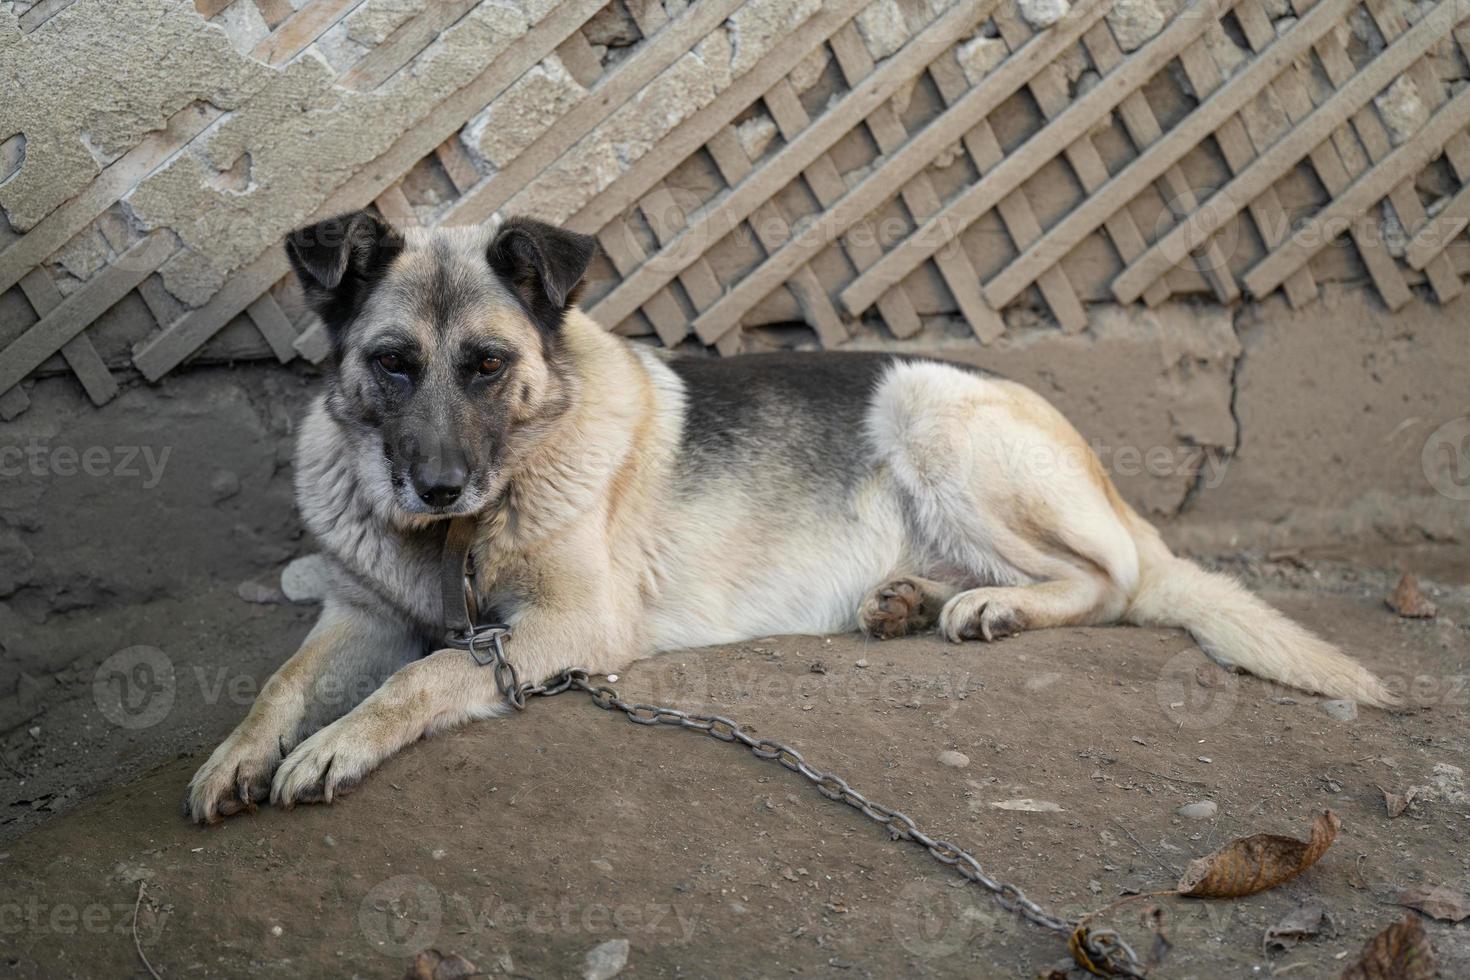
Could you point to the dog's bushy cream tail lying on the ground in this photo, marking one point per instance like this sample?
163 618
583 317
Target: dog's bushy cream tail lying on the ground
1237 628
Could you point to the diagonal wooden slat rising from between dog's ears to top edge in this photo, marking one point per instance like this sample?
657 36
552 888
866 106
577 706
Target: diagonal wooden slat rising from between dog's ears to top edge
602 102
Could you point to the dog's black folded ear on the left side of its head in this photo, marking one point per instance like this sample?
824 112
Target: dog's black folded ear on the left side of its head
339 261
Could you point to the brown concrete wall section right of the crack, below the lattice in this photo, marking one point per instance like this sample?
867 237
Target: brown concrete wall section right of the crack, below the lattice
1355 427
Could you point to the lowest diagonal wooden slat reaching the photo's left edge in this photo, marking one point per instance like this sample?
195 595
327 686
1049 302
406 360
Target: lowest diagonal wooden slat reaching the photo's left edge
76 312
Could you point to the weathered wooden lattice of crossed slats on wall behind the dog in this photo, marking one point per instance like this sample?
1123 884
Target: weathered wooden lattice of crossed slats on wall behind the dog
884 161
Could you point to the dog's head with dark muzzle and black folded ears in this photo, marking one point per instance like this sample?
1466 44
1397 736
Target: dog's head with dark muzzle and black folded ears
448 347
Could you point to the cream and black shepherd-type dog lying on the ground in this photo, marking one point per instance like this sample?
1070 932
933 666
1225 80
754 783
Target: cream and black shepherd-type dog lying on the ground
625 502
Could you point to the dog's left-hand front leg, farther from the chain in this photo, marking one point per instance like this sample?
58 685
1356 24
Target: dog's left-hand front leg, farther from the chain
348 655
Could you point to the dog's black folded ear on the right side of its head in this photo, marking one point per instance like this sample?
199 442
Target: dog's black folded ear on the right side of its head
543 264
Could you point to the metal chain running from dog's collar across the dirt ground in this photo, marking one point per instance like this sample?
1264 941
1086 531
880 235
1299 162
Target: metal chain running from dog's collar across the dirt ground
1106 950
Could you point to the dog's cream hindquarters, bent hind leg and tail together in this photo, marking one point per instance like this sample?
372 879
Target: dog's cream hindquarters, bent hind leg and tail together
1002 484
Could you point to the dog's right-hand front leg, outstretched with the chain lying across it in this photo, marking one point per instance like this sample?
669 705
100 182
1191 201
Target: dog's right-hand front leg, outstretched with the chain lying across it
442 691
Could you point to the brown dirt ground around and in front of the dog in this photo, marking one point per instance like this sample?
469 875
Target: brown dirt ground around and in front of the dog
527 843
